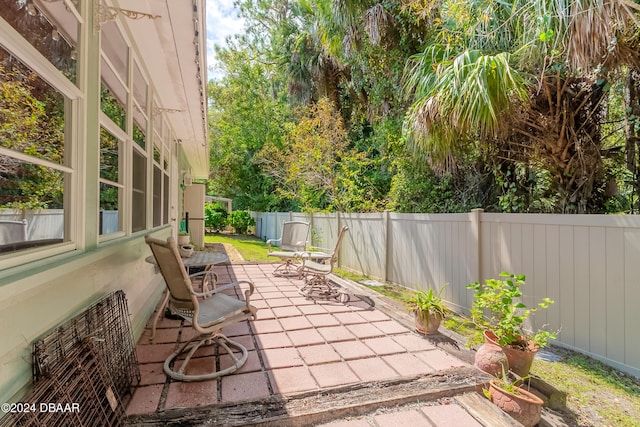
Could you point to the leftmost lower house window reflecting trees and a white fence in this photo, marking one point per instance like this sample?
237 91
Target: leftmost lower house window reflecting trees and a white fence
35 175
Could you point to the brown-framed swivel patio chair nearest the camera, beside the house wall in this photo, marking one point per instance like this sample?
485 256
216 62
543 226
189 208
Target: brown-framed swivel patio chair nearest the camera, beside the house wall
207 312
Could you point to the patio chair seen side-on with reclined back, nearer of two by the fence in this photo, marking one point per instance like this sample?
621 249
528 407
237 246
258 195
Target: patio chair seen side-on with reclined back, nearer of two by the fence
316 266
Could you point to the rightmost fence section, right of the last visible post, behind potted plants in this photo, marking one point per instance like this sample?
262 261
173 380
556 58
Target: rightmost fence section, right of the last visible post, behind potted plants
587 264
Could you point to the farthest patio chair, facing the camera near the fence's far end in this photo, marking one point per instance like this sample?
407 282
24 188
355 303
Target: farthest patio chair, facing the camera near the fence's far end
294 239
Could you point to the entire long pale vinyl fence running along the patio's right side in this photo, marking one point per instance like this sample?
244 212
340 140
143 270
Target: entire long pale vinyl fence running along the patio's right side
588 264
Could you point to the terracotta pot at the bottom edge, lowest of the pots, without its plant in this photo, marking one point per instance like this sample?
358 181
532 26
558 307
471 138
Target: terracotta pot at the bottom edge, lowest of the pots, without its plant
524 407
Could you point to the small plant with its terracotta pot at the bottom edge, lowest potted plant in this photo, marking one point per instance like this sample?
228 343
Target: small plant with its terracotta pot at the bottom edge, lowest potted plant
522 405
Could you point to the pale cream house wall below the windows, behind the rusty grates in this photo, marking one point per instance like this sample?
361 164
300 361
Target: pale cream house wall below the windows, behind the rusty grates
38 301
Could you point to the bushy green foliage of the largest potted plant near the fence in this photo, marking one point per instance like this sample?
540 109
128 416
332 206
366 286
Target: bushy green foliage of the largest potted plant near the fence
497 307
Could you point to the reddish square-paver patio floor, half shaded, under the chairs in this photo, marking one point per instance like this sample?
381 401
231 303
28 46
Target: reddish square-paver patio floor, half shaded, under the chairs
295 346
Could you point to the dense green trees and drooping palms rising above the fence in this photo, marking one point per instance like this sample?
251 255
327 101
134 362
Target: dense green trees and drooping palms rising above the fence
421 106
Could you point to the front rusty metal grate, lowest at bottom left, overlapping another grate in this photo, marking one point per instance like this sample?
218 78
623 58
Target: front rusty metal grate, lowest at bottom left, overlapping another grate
78 392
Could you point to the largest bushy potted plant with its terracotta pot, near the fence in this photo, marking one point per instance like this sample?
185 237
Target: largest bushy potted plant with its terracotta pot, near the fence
500 316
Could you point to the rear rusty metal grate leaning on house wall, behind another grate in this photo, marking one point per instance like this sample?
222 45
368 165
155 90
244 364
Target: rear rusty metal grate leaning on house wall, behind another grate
107 323
